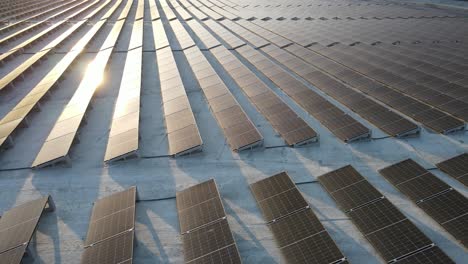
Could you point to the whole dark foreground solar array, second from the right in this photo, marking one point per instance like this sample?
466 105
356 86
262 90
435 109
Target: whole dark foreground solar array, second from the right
444 204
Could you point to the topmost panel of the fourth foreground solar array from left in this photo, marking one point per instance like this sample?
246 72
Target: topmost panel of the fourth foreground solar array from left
272 185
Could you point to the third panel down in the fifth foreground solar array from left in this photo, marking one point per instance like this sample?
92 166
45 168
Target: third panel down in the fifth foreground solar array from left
398 239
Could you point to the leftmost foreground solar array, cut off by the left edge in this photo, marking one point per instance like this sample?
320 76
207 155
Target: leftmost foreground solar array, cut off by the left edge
17 227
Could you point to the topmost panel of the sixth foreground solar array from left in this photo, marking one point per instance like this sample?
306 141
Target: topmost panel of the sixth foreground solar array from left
402 171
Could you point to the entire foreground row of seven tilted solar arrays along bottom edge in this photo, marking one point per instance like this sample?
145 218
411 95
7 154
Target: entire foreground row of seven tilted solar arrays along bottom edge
299 234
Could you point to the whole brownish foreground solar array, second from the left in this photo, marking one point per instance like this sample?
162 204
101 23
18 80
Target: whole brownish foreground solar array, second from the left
111 229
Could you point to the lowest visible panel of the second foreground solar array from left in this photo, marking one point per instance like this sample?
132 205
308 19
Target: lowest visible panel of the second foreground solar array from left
118 249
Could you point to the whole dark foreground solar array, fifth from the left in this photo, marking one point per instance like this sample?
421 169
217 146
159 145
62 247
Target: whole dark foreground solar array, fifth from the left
393 235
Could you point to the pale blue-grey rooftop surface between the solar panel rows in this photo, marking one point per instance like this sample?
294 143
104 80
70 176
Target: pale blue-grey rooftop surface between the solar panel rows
60 235
